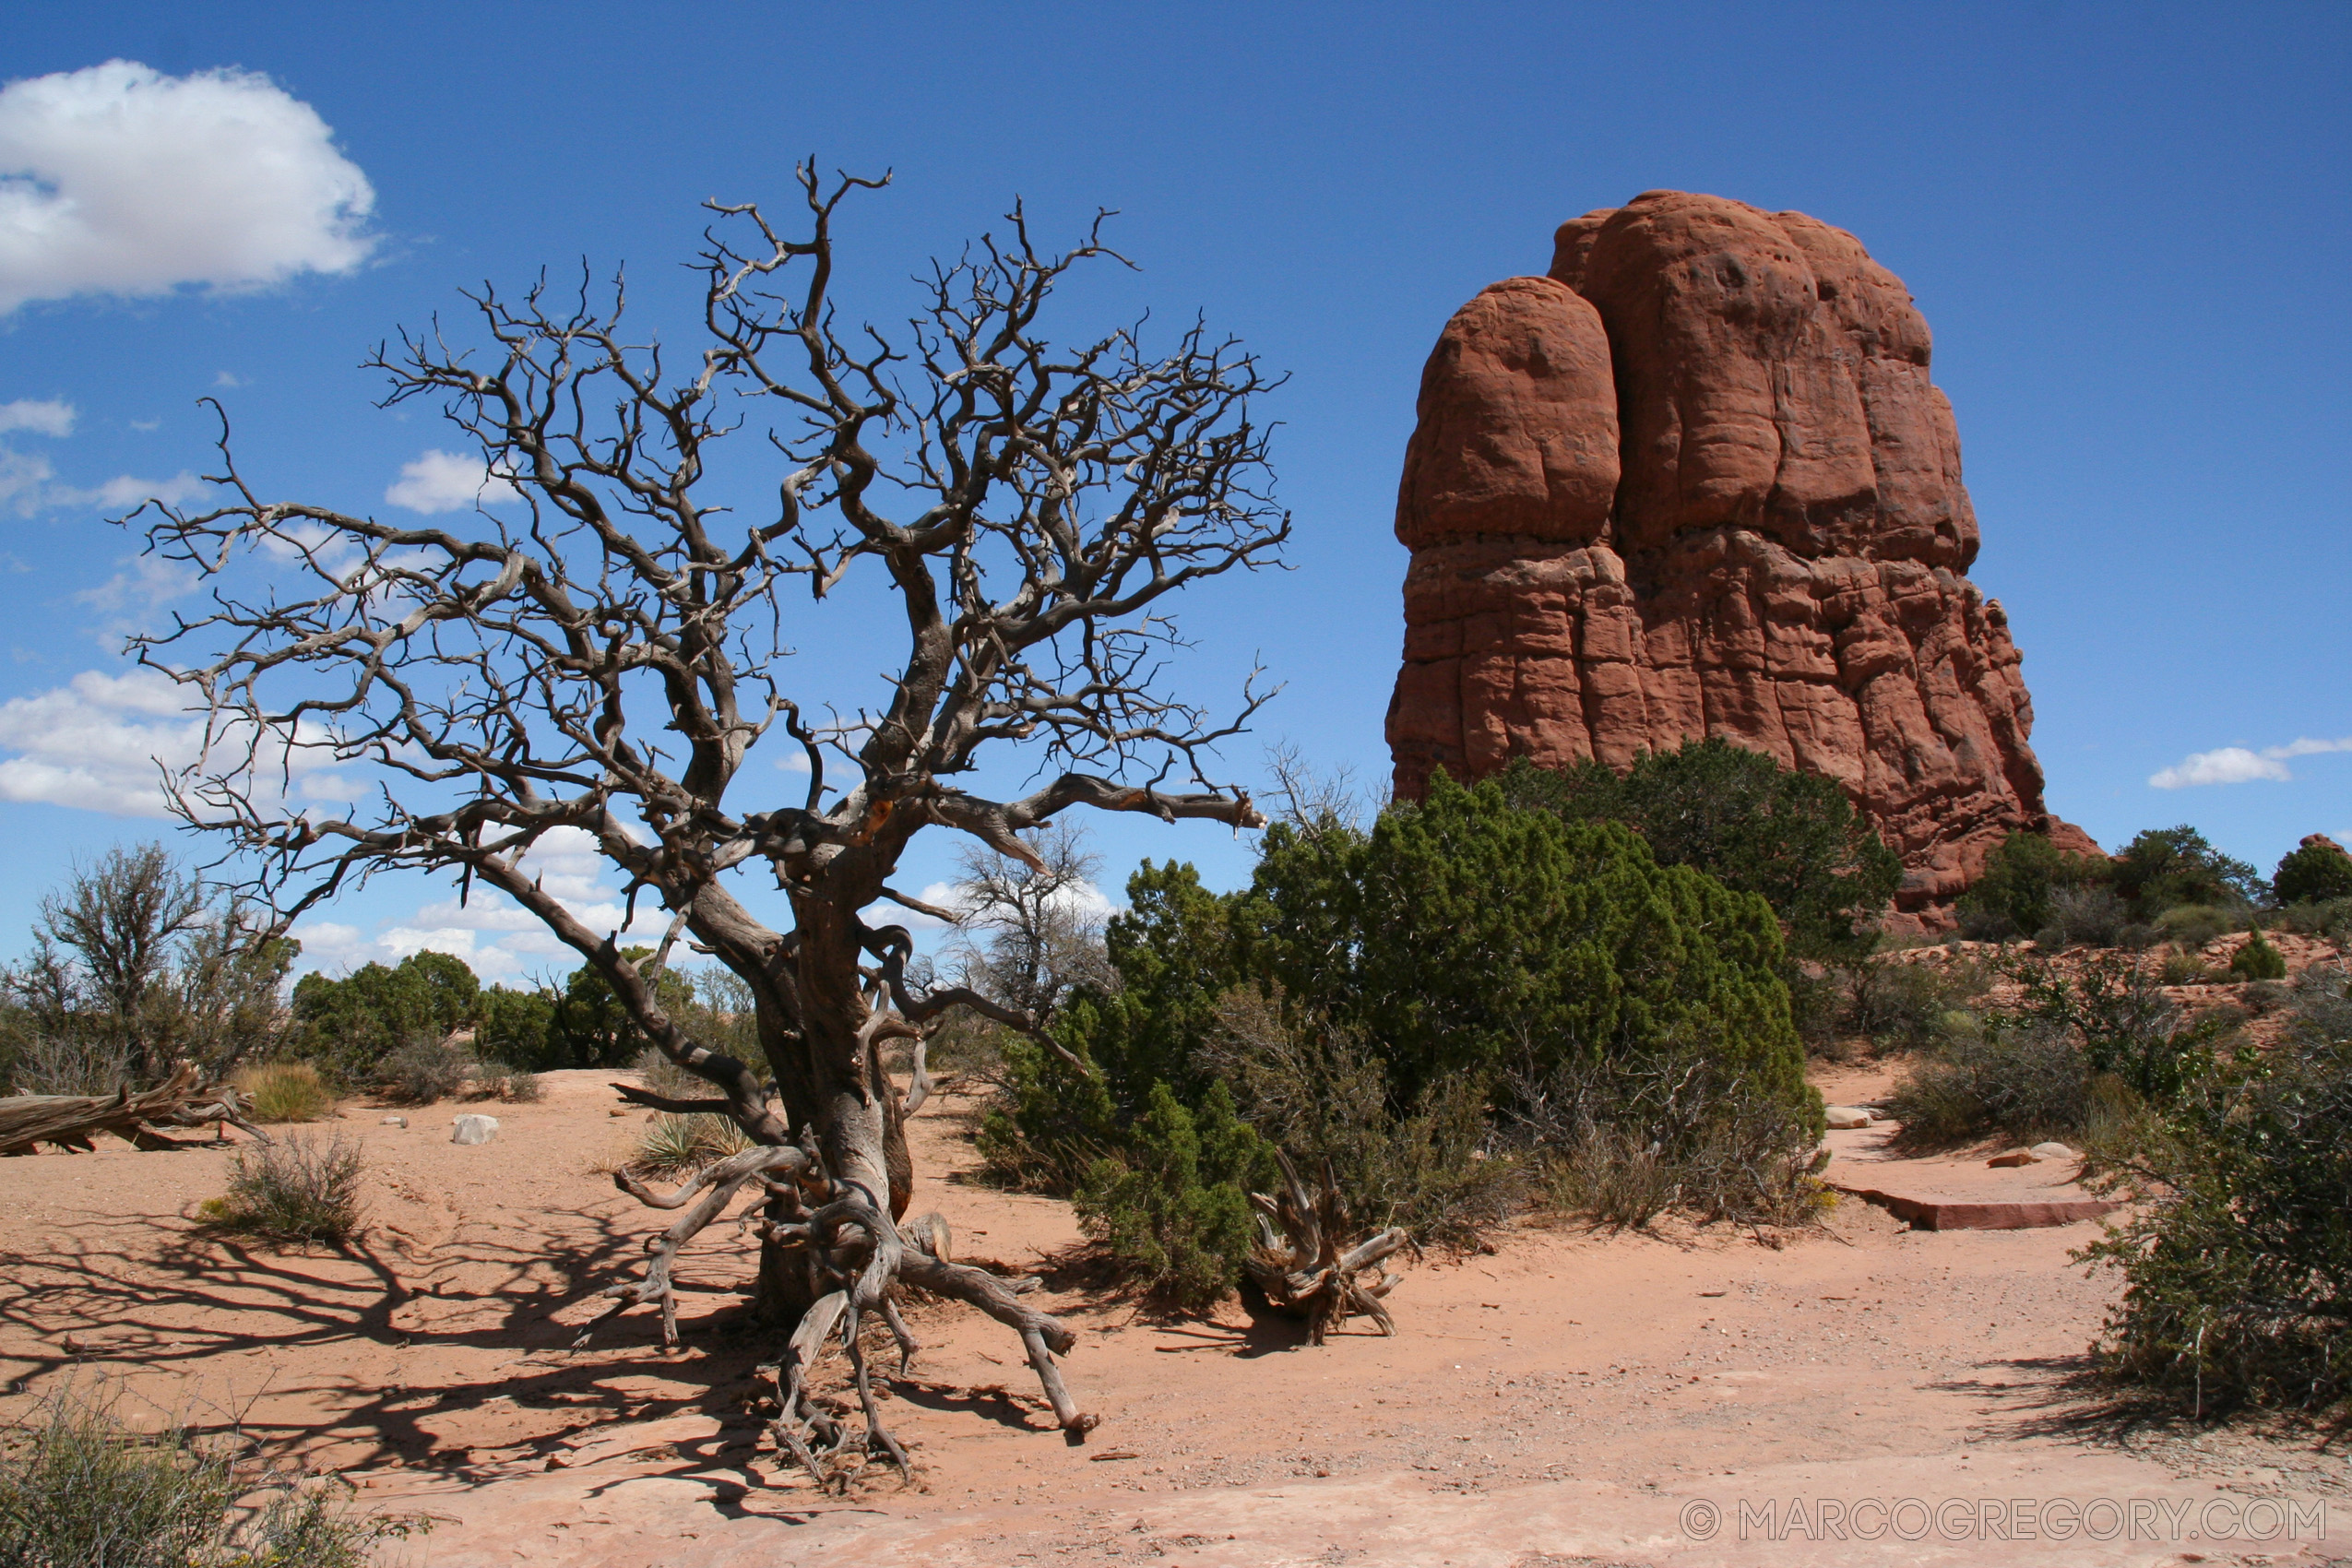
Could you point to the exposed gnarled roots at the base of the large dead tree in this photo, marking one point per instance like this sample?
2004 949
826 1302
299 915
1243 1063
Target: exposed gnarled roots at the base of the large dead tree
857 1257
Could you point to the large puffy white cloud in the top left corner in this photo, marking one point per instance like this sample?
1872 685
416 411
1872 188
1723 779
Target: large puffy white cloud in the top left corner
119 180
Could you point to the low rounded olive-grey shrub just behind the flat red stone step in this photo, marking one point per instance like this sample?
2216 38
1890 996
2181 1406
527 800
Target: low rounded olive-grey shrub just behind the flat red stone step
2019 1080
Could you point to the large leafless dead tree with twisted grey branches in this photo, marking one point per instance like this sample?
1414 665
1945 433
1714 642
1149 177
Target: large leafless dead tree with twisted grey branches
606 657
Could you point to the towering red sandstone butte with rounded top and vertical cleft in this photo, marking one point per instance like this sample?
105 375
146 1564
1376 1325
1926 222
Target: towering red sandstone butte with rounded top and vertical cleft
1697 483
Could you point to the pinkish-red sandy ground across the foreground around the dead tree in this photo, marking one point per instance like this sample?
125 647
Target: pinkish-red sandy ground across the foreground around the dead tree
1568 1400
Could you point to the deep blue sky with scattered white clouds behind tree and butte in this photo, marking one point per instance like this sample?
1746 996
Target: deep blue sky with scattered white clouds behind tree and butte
2125 225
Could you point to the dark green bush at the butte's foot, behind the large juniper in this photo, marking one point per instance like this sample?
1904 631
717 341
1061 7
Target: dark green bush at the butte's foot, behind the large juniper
1746 822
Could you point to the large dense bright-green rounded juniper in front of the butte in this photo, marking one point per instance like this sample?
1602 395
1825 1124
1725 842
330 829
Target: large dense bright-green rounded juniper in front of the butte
1464 937
